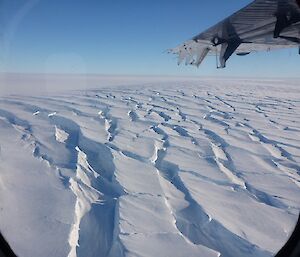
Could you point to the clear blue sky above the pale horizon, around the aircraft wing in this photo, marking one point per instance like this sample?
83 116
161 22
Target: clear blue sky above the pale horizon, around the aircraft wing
120 37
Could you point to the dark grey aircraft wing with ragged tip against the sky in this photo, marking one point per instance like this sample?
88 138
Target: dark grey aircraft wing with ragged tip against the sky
263 25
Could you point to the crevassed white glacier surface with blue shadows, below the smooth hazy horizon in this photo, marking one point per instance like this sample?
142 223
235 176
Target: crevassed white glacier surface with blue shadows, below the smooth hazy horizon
174 170
